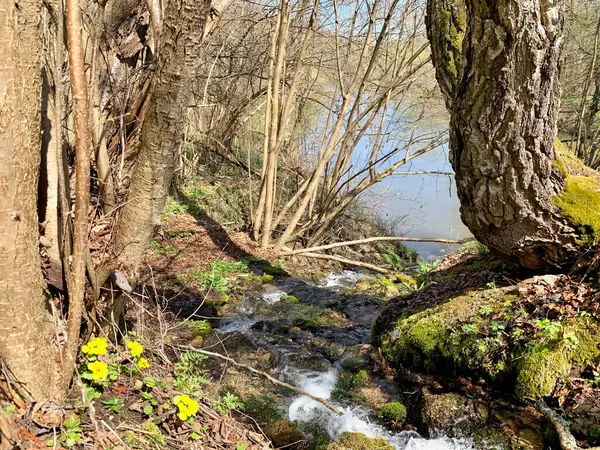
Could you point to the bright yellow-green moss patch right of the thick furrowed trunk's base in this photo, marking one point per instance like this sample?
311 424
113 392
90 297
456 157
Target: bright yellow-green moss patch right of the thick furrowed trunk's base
580 202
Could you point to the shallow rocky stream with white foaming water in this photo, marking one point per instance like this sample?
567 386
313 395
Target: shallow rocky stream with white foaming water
314 357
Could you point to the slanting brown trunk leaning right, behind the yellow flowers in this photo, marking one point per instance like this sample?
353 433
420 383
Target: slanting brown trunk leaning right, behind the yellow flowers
178 59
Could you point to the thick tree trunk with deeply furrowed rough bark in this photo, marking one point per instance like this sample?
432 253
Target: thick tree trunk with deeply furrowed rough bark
497 63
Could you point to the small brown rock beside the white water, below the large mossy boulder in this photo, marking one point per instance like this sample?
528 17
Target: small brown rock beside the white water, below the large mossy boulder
450 411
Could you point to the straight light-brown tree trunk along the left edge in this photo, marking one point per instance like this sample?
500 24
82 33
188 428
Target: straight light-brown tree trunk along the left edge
26 327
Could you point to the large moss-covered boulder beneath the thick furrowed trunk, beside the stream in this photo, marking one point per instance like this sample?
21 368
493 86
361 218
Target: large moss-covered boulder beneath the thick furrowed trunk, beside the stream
465 334
